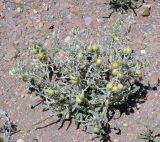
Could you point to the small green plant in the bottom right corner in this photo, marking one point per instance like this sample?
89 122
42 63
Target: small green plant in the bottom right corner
150 134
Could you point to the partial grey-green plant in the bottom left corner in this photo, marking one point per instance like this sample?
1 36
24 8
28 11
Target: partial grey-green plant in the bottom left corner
7 128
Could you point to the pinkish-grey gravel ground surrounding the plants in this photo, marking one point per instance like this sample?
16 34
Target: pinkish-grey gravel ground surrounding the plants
24 21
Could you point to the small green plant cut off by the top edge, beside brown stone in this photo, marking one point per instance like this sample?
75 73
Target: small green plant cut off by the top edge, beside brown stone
124 5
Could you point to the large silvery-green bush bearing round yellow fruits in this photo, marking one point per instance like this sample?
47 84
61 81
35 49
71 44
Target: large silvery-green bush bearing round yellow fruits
81 81
